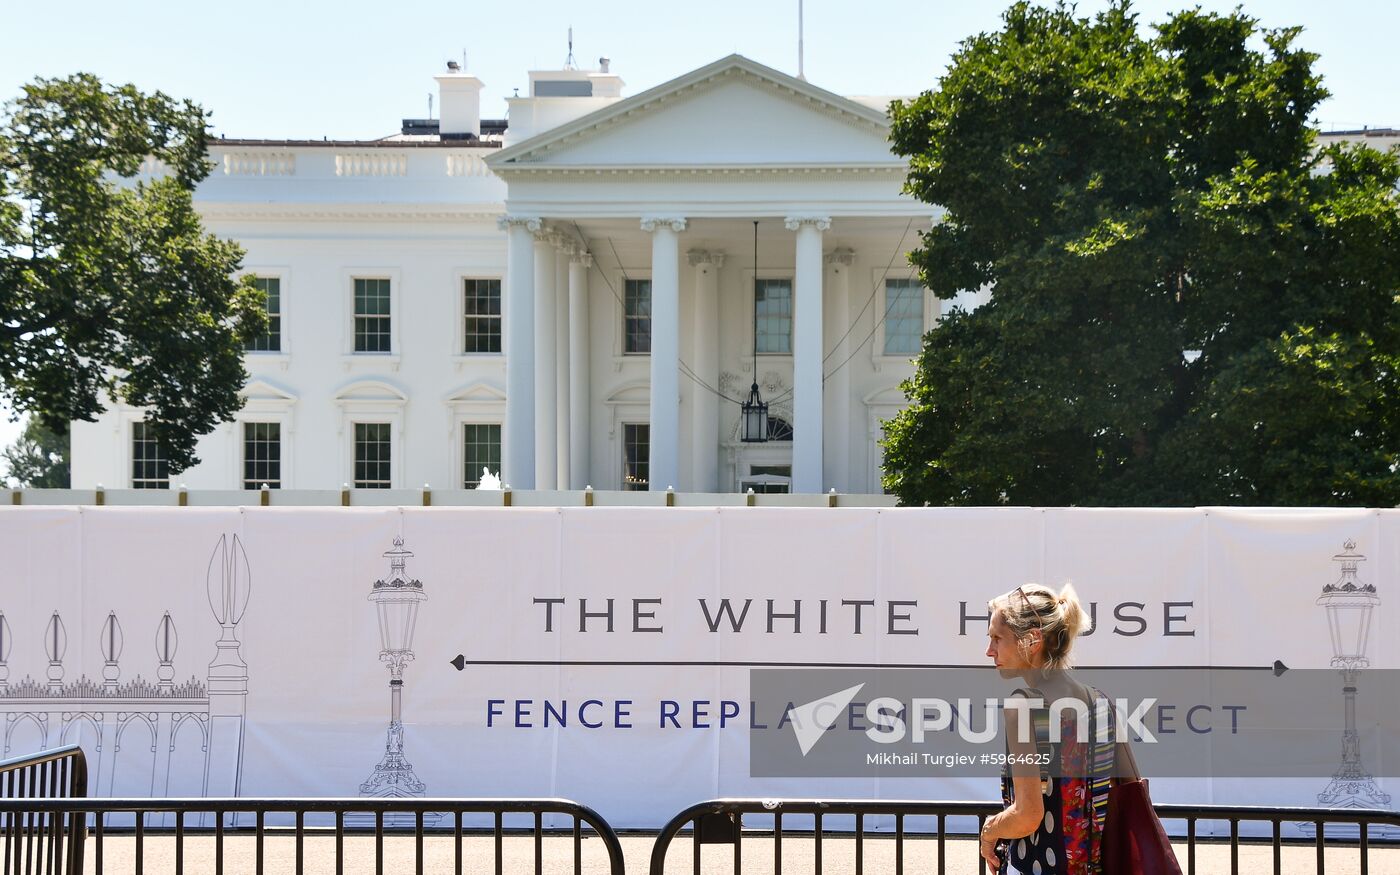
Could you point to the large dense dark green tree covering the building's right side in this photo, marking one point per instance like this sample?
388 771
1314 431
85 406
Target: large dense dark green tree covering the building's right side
1191 302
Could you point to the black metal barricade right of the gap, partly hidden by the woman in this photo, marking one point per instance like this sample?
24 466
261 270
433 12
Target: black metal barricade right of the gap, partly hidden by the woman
722 822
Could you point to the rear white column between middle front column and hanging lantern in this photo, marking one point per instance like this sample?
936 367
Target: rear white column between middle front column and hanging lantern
706 327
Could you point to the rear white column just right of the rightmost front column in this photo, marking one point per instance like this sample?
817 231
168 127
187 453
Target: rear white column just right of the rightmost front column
836 402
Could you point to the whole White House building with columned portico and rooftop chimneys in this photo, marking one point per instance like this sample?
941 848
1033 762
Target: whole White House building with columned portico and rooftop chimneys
570 299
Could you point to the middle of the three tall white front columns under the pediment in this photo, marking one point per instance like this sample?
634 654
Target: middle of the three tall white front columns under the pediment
666 351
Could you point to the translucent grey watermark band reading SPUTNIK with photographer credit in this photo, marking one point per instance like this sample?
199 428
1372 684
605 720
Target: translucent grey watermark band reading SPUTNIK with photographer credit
1182 722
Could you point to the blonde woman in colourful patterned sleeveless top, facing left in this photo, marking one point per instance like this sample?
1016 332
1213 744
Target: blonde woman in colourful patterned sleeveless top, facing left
1051 825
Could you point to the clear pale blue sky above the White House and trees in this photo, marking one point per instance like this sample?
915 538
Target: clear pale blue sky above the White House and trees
355 69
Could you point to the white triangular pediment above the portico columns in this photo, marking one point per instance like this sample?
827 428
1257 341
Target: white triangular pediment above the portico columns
734 113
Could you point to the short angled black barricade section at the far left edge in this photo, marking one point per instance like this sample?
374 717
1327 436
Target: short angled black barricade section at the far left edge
43 841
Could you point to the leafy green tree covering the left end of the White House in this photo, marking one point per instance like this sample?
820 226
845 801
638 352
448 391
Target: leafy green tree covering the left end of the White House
110 289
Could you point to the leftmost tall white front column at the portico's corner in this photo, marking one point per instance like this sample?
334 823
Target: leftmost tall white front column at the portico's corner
519 453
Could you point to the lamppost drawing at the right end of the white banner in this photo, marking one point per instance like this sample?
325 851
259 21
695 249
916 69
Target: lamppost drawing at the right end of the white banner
1349 605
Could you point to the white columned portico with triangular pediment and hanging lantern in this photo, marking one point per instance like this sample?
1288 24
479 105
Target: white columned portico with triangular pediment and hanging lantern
695 163
